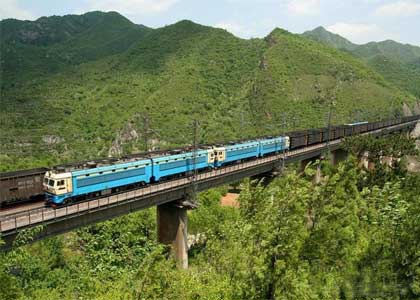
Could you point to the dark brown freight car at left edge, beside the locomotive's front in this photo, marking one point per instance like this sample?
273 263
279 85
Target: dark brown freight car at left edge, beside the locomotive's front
21 186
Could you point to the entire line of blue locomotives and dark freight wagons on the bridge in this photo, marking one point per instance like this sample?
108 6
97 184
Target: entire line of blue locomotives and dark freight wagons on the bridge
75 182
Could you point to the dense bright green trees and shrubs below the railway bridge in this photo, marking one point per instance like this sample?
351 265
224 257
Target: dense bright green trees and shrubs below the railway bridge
347 237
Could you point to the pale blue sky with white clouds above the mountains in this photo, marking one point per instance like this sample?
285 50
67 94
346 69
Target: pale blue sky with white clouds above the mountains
360 21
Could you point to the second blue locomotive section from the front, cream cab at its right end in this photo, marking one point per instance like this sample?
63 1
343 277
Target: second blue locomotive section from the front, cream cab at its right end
170 165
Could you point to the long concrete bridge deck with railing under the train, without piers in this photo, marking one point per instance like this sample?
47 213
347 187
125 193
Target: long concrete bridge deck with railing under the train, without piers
83 213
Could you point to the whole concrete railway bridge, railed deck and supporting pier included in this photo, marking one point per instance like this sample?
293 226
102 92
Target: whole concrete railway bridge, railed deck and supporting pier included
170 197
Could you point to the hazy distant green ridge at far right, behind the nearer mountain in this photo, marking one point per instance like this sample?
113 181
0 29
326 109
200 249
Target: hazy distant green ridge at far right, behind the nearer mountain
398 63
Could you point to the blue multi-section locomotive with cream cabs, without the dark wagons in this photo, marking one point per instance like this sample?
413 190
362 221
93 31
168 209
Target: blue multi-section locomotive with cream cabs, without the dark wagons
63 186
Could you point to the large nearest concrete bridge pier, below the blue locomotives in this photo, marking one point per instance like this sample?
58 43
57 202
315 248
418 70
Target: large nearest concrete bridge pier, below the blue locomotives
172 227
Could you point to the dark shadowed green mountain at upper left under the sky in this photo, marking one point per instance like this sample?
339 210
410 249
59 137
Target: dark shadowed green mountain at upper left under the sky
52 44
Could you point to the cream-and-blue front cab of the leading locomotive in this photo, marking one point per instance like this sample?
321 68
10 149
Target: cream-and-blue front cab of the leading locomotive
57 186
